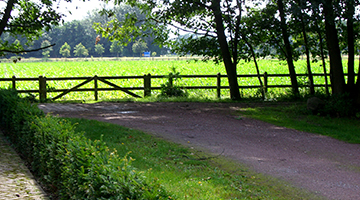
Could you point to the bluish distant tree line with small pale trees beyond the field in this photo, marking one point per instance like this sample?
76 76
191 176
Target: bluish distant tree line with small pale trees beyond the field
79 39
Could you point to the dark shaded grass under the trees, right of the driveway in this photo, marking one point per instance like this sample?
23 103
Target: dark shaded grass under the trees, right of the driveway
296 116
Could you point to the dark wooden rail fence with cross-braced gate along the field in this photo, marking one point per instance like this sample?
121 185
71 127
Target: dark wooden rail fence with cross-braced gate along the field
147 88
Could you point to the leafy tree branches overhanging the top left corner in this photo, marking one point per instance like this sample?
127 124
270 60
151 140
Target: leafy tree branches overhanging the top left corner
27 19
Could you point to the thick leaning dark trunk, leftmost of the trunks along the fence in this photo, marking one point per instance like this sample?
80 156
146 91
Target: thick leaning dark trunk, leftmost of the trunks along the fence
230 67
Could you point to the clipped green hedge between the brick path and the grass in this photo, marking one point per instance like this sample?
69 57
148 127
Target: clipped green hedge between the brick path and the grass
69 165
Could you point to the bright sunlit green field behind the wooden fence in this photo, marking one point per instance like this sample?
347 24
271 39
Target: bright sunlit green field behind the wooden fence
153 67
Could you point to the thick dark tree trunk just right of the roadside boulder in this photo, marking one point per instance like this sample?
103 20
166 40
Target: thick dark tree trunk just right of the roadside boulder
332 40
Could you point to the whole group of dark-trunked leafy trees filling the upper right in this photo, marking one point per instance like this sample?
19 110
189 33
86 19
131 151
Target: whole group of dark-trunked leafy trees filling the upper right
229 30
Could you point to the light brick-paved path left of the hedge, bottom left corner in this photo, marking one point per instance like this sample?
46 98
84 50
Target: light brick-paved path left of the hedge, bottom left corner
16 181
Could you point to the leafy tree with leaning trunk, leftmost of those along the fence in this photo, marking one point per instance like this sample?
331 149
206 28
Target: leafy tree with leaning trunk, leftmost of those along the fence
215 25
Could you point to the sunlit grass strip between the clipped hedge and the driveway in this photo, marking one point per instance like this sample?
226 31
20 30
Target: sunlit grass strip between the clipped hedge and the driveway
187 172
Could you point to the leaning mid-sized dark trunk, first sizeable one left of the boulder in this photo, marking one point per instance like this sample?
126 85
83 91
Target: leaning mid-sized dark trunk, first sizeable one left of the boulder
288 49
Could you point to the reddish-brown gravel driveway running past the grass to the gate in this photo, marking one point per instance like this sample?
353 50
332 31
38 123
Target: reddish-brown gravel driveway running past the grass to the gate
320 164
